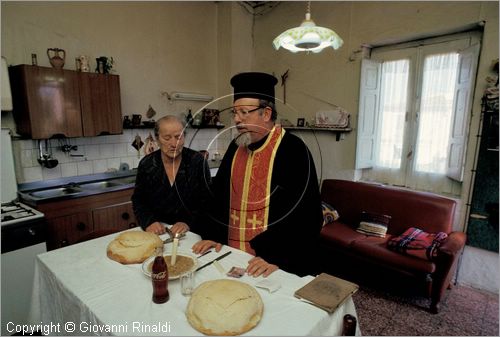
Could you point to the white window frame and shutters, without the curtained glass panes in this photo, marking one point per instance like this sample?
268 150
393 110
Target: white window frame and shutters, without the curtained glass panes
369 116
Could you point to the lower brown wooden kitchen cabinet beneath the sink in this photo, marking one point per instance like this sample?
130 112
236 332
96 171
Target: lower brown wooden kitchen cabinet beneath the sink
70 220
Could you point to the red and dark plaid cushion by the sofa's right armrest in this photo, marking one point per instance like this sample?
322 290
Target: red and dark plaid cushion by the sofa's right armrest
418 243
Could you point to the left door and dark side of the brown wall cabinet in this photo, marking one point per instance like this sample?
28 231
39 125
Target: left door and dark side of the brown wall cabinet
46 102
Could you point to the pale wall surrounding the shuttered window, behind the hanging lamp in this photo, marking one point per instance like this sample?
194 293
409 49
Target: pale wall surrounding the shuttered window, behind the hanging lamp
332 77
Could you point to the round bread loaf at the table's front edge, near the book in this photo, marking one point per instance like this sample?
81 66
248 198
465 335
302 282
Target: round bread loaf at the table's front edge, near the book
224 307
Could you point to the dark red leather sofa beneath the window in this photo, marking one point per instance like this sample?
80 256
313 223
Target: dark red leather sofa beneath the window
340 242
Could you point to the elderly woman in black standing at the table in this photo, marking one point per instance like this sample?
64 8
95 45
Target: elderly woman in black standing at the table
172 182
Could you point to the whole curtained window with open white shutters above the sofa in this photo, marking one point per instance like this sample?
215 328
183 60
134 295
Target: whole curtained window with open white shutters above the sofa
415 103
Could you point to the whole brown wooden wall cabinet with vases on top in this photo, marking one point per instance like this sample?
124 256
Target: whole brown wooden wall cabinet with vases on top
51 102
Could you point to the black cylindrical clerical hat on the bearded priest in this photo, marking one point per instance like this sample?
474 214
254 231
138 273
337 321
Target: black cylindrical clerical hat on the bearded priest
254 85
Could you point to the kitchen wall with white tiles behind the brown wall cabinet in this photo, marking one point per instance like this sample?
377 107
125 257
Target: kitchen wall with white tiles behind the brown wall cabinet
157 47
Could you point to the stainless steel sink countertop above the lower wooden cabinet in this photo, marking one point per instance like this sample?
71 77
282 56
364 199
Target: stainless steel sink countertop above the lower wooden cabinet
27 191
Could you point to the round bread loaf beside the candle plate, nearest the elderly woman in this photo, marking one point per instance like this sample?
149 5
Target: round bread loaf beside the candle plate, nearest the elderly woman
133 247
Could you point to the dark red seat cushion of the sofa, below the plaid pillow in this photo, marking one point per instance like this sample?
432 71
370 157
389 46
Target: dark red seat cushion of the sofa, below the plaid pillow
375 249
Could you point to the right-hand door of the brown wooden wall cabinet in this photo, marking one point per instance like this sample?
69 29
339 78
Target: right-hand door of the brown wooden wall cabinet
101 105
